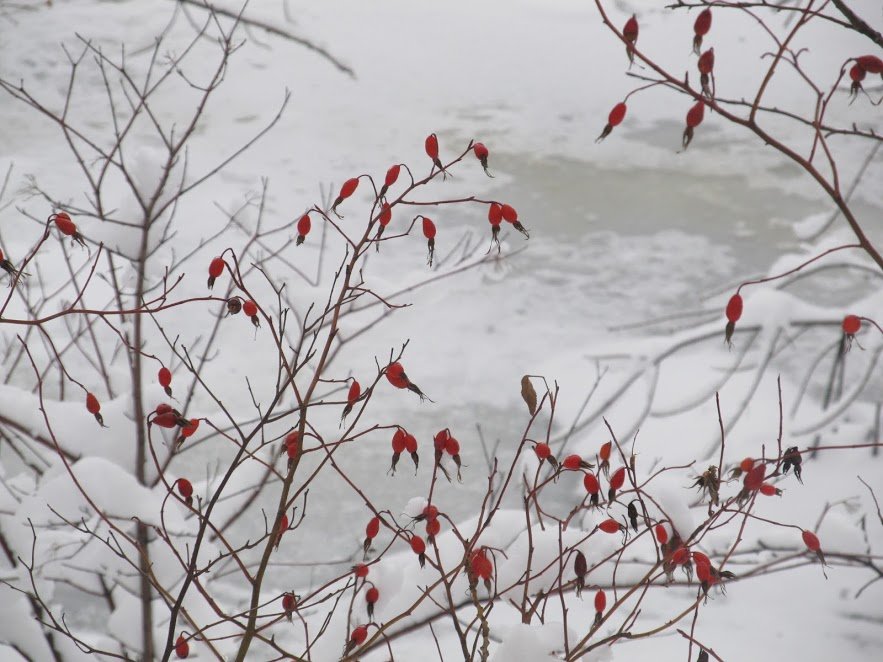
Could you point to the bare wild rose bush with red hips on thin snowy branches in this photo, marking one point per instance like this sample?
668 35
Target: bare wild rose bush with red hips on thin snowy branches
147 476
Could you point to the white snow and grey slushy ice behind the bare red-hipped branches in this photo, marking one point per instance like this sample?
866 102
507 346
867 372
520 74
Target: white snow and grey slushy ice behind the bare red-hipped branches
621 231
